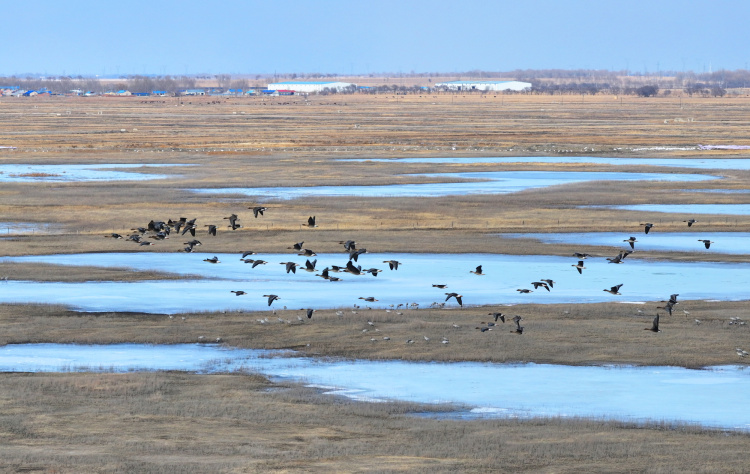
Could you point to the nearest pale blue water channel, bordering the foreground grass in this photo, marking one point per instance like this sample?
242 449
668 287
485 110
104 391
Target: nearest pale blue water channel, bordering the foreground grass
501 390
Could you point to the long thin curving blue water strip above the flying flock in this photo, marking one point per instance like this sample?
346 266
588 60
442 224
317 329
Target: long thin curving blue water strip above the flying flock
495 182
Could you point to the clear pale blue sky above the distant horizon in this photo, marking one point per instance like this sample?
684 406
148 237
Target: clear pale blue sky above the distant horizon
95 37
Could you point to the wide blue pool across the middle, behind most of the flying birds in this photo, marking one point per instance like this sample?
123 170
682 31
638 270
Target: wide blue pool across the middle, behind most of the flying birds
412 282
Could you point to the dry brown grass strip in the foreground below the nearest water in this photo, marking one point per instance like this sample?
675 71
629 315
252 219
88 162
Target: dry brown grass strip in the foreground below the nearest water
171 422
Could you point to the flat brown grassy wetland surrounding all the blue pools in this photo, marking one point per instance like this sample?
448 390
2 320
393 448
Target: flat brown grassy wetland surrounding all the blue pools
240 423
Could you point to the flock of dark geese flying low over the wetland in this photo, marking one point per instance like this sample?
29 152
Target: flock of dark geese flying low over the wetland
160 230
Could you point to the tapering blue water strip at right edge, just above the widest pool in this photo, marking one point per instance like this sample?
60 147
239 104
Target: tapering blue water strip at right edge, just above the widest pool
723 242
